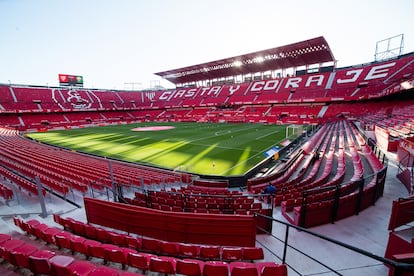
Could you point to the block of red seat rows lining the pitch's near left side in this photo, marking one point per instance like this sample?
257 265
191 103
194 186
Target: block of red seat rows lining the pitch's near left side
32 159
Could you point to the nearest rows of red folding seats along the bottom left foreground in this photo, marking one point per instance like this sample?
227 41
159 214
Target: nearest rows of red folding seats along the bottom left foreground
126 257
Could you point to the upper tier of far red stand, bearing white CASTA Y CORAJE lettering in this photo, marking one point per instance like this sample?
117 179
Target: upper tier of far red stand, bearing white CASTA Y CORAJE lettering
353 83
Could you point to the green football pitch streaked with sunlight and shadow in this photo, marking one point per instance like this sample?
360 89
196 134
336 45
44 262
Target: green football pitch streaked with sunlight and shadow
202 148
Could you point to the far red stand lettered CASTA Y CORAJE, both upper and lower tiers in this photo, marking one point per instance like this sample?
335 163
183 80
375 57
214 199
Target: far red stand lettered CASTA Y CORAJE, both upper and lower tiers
323 94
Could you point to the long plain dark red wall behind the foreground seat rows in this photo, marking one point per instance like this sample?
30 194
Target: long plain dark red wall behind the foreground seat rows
217 229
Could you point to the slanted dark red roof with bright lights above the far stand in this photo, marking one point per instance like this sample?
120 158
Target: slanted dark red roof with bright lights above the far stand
308 52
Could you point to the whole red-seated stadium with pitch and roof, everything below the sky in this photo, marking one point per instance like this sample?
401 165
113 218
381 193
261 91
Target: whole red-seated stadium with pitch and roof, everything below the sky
171 181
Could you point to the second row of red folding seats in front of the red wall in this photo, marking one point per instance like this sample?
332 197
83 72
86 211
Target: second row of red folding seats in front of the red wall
145 261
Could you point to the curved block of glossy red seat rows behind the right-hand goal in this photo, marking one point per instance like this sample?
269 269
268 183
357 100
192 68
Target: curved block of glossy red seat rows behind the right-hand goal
319 202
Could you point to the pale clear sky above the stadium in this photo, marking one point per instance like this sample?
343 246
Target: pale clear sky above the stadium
120 44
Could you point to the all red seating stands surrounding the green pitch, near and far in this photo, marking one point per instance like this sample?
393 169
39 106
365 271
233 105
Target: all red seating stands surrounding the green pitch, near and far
202 227
